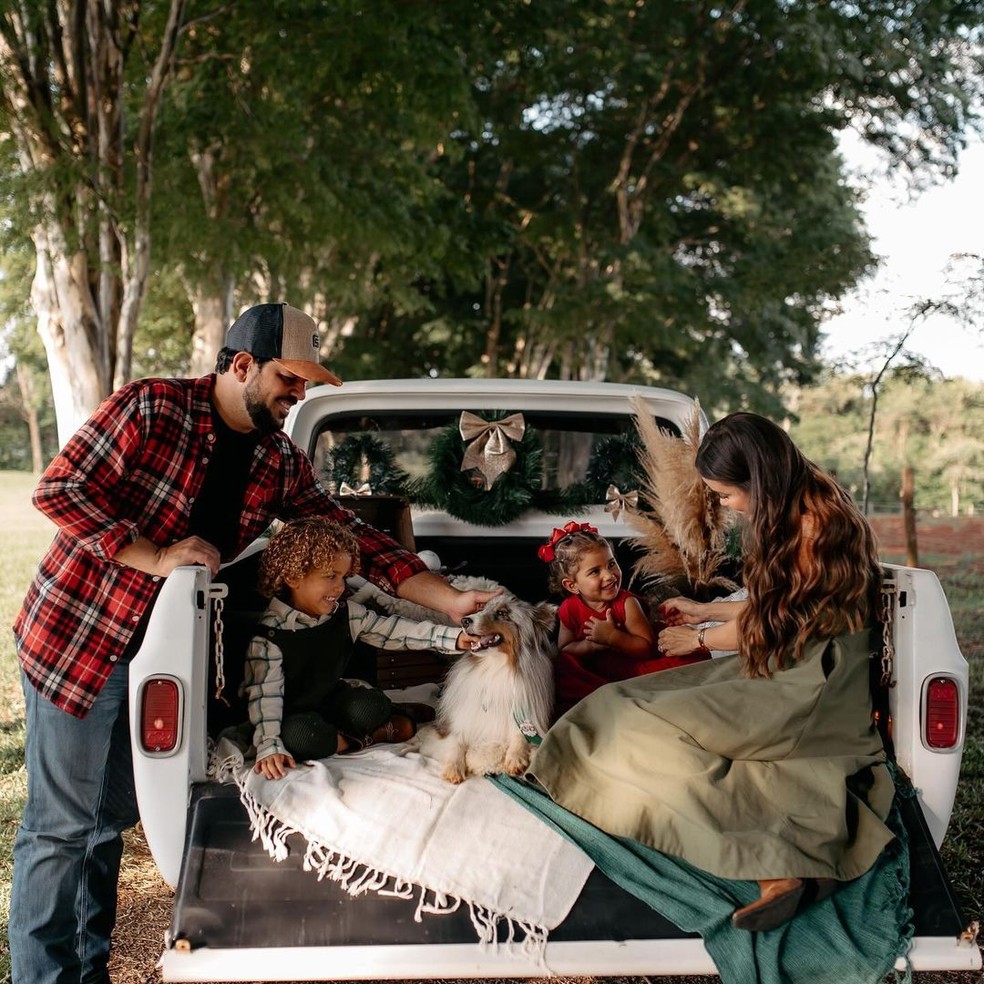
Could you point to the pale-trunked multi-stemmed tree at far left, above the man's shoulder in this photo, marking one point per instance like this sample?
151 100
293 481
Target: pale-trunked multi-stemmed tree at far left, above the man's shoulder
81 83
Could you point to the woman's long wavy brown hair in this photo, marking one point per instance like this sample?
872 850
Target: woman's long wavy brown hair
810 562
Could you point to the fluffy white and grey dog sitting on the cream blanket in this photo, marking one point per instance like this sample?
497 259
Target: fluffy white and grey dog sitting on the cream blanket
491 690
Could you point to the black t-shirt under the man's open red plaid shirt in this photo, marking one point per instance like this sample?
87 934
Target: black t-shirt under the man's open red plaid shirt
216 513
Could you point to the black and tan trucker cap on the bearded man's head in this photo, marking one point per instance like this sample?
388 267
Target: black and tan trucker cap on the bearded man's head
287 336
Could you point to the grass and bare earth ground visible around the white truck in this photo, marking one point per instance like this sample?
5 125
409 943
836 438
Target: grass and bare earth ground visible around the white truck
956 552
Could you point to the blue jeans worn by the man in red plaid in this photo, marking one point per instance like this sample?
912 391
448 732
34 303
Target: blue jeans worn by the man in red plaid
80 797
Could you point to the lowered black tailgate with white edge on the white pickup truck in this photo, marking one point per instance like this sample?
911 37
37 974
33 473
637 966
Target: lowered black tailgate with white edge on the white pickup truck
233 897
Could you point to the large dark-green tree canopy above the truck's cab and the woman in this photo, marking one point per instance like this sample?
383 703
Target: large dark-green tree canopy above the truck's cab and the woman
668 181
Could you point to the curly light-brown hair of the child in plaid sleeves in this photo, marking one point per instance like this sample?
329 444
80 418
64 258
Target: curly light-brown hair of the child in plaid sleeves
301 546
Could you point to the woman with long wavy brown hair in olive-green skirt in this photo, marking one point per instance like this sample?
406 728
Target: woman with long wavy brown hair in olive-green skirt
765 765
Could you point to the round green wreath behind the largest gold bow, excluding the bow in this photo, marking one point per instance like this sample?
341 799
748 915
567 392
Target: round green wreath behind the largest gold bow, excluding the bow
447 487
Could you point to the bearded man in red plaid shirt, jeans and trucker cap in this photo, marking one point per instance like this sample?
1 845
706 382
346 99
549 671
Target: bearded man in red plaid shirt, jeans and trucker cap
166 472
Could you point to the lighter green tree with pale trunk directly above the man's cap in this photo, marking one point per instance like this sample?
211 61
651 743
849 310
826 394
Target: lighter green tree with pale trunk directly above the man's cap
298 143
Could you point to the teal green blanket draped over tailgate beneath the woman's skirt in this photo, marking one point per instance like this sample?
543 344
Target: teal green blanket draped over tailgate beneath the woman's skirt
855 935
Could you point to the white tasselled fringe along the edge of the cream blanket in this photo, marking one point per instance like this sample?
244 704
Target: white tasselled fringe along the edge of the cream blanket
358 878
